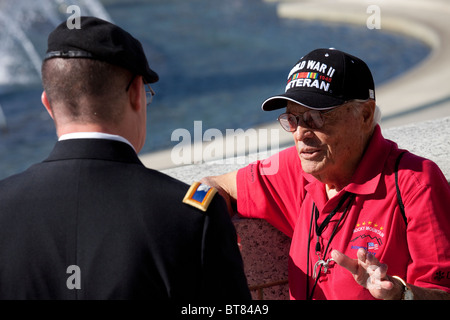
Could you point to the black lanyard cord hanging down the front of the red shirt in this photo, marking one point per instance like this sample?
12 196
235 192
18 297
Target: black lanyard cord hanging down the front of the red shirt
319 230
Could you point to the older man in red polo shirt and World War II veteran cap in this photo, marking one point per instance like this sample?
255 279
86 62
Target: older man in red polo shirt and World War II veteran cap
335 192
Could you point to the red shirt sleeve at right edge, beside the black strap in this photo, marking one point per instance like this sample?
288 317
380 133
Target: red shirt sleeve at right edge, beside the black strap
426 196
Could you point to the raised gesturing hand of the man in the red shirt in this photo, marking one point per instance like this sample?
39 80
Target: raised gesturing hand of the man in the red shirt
369 273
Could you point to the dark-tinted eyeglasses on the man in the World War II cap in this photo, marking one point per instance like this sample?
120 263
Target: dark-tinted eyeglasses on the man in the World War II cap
312 119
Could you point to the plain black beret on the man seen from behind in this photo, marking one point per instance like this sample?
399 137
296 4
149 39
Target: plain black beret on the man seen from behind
100 40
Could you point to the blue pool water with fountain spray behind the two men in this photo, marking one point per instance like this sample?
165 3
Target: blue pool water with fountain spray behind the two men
217 61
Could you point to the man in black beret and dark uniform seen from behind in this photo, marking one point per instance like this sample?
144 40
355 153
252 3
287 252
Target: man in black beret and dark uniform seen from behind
90 221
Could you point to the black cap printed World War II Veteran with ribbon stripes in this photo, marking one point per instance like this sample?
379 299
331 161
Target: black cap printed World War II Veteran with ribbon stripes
324 79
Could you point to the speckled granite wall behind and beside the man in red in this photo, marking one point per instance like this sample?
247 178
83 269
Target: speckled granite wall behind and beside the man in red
264 249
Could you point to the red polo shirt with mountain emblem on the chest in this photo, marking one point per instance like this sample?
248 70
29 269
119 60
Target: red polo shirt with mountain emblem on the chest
417 251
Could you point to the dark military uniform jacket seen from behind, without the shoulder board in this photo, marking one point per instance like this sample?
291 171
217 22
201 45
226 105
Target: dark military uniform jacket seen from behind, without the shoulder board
92 222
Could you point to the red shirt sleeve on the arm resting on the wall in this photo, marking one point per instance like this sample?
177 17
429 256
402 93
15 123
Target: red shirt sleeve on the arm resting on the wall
271 189
